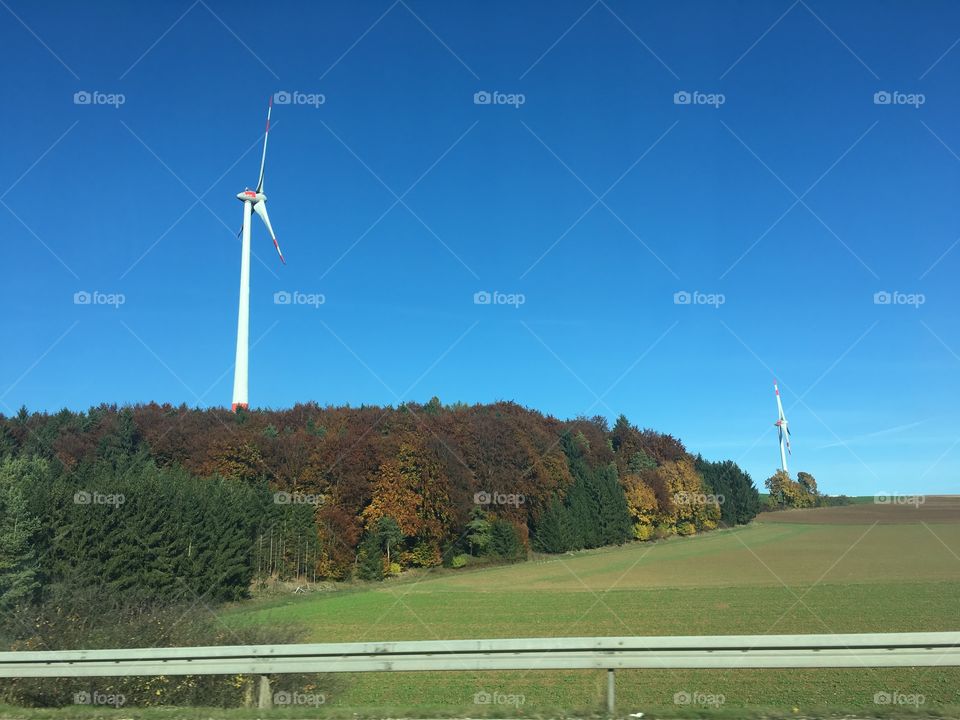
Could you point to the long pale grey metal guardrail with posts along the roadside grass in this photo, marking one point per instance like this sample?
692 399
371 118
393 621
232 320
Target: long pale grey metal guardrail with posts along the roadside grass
598 653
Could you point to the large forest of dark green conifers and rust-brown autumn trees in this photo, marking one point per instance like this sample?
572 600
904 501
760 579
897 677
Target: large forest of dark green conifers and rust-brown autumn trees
176 503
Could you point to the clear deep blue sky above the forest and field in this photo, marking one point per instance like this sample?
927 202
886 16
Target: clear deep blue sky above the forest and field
103 198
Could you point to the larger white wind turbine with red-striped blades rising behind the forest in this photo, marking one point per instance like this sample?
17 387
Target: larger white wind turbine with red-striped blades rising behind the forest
254 201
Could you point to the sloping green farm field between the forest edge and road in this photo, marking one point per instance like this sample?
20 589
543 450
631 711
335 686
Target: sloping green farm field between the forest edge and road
866 569
